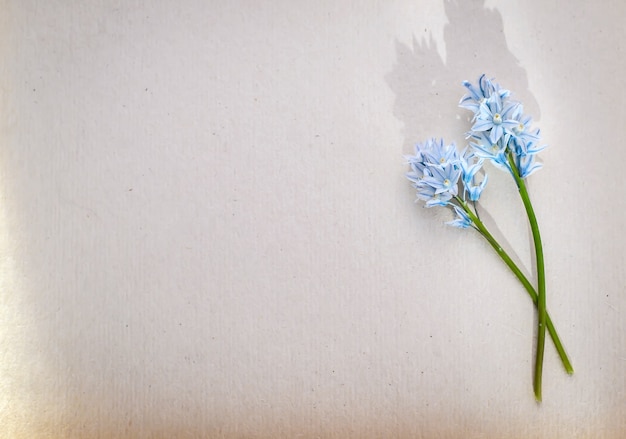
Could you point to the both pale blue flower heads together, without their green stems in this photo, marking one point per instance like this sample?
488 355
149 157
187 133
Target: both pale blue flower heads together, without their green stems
500 133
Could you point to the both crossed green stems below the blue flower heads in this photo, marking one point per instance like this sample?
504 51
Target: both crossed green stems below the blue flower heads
537 298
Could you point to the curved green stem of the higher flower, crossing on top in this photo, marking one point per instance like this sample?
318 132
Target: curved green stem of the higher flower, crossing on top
541 277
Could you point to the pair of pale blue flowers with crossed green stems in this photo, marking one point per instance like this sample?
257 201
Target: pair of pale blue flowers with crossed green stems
502 134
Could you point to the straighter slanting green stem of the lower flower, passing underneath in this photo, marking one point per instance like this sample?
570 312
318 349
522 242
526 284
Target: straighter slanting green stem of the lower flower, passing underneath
480 227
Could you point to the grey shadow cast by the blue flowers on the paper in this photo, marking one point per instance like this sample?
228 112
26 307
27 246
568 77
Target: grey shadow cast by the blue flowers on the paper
428 88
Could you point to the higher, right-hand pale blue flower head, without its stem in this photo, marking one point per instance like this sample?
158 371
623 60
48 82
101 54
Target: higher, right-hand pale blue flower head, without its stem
501 132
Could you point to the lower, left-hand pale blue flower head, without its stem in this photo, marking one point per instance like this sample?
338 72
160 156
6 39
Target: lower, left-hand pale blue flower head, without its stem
437 171
